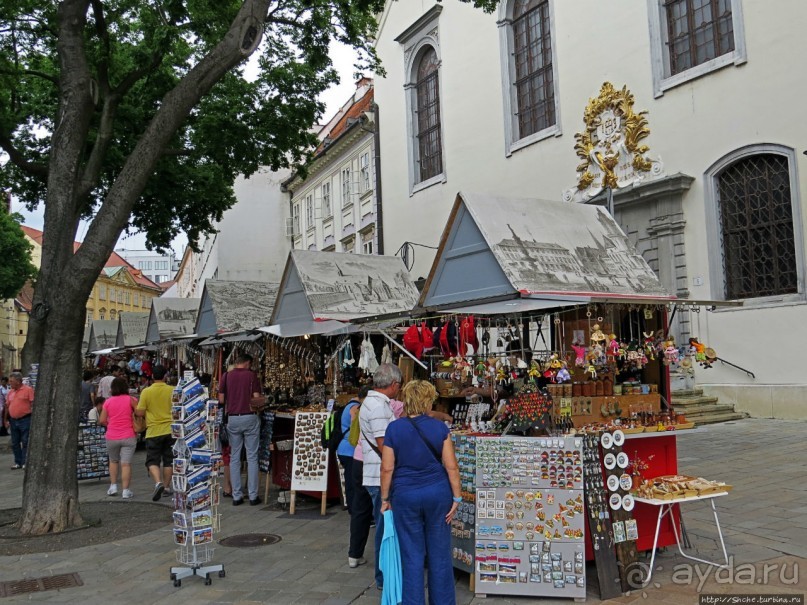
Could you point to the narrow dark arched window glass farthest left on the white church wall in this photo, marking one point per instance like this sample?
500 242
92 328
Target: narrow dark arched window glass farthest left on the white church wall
427 117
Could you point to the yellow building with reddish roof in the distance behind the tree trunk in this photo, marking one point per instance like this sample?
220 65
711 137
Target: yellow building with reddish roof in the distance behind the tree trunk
120 287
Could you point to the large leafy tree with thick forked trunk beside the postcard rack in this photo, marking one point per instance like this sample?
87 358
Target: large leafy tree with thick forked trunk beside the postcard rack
134 114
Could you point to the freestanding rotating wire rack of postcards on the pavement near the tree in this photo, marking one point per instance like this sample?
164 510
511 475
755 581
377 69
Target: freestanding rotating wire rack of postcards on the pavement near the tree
197 461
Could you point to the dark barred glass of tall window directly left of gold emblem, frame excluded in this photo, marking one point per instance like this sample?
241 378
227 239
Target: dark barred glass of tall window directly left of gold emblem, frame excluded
532 53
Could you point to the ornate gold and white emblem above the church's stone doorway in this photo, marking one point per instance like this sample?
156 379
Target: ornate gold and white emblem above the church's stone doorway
610 146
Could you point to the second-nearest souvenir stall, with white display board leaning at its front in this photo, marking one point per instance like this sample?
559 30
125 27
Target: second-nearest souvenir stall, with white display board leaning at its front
320 293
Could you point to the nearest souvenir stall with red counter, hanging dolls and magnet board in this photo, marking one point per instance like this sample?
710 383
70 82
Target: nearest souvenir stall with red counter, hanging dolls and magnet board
565 281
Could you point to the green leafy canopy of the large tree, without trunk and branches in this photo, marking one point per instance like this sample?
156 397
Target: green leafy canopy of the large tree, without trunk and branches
137 51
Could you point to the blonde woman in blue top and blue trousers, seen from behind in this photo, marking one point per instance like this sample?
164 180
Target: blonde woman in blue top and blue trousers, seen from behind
420 482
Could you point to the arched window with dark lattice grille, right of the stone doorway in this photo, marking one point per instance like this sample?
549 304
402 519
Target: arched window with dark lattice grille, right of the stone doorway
756 220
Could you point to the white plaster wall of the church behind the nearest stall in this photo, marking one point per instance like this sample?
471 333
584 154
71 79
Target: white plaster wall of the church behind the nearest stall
692 126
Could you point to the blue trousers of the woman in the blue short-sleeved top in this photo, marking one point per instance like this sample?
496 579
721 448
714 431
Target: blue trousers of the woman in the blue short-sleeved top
425 537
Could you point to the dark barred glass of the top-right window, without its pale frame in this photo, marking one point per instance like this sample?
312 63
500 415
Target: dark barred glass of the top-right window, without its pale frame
697 31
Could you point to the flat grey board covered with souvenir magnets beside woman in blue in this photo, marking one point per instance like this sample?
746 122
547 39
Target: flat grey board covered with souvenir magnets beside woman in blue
530 517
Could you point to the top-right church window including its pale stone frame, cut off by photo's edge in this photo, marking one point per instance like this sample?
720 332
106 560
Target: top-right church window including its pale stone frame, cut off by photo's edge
690 38
